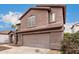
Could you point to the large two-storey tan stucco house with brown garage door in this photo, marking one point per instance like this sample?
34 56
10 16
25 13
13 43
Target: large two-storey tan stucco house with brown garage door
42 27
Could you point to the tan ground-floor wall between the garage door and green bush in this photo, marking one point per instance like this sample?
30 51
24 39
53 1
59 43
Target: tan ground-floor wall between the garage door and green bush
56 39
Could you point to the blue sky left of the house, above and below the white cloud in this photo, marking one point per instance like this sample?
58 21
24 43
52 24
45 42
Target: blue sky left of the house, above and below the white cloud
6 8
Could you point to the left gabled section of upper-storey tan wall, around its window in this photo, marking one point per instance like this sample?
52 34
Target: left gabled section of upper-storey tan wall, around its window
41 18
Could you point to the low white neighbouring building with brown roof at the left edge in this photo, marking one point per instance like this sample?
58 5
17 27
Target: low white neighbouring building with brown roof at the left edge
4 36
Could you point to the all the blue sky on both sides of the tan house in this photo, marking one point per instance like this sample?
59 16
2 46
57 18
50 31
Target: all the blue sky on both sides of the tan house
72 13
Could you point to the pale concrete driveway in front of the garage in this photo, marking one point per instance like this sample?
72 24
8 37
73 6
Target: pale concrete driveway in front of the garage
7 49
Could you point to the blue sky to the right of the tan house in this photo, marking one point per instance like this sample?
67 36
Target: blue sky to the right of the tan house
72 13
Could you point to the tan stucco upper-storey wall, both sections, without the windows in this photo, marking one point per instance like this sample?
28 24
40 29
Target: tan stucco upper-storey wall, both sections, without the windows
42 18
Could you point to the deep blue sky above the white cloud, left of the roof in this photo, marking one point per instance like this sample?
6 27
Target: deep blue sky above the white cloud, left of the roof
5 8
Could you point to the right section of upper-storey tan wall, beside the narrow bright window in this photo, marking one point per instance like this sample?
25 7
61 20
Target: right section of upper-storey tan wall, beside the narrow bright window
58 15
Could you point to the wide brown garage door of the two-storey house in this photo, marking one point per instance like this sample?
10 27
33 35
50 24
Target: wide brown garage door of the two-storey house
36 40
